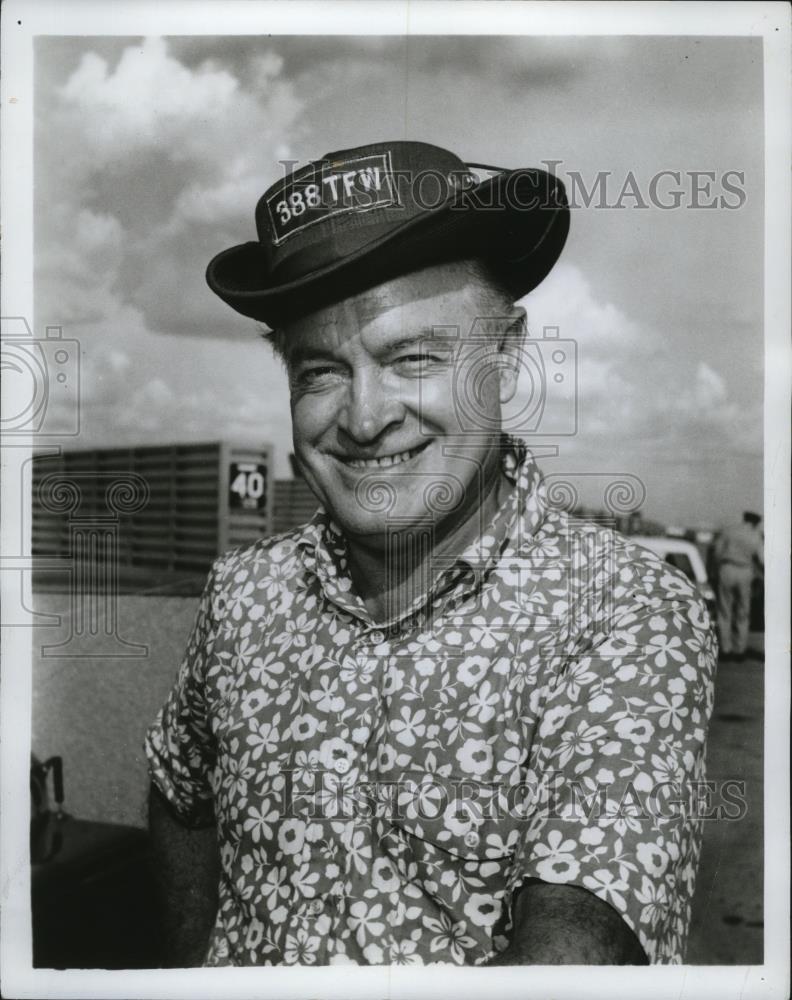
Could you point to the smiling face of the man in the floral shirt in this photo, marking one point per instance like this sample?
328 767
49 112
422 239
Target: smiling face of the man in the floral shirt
396 398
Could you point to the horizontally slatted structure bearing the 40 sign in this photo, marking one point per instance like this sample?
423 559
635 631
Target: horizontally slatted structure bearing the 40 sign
150 517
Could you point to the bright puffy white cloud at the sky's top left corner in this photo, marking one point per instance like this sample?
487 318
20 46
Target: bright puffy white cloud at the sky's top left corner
152 106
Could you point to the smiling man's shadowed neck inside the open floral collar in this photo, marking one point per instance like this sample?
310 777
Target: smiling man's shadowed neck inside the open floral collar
389 581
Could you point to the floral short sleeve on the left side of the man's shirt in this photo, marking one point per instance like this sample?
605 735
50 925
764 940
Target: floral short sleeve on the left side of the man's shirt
179 745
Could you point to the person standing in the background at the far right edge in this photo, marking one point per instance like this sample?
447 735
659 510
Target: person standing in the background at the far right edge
738 552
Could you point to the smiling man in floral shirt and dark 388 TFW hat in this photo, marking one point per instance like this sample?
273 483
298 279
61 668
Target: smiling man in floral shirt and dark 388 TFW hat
414 730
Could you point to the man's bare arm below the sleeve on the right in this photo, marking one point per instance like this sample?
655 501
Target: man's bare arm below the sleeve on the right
567 925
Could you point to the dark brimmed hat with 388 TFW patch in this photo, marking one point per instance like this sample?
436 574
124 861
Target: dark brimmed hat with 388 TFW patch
357 217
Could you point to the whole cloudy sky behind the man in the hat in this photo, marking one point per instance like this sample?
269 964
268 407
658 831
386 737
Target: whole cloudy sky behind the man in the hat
151 154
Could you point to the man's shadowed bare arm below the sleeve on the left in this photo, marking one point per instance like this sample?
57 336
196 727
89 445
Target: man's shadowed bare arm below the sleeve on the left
186 871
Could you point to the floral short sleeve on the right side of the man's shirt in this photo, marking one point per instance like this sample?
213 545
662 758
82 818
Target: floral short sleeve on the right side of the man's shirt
615 766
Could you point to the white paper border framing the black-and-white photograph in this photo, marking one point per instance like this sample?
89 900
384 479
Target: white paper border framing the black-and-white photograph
22 22
